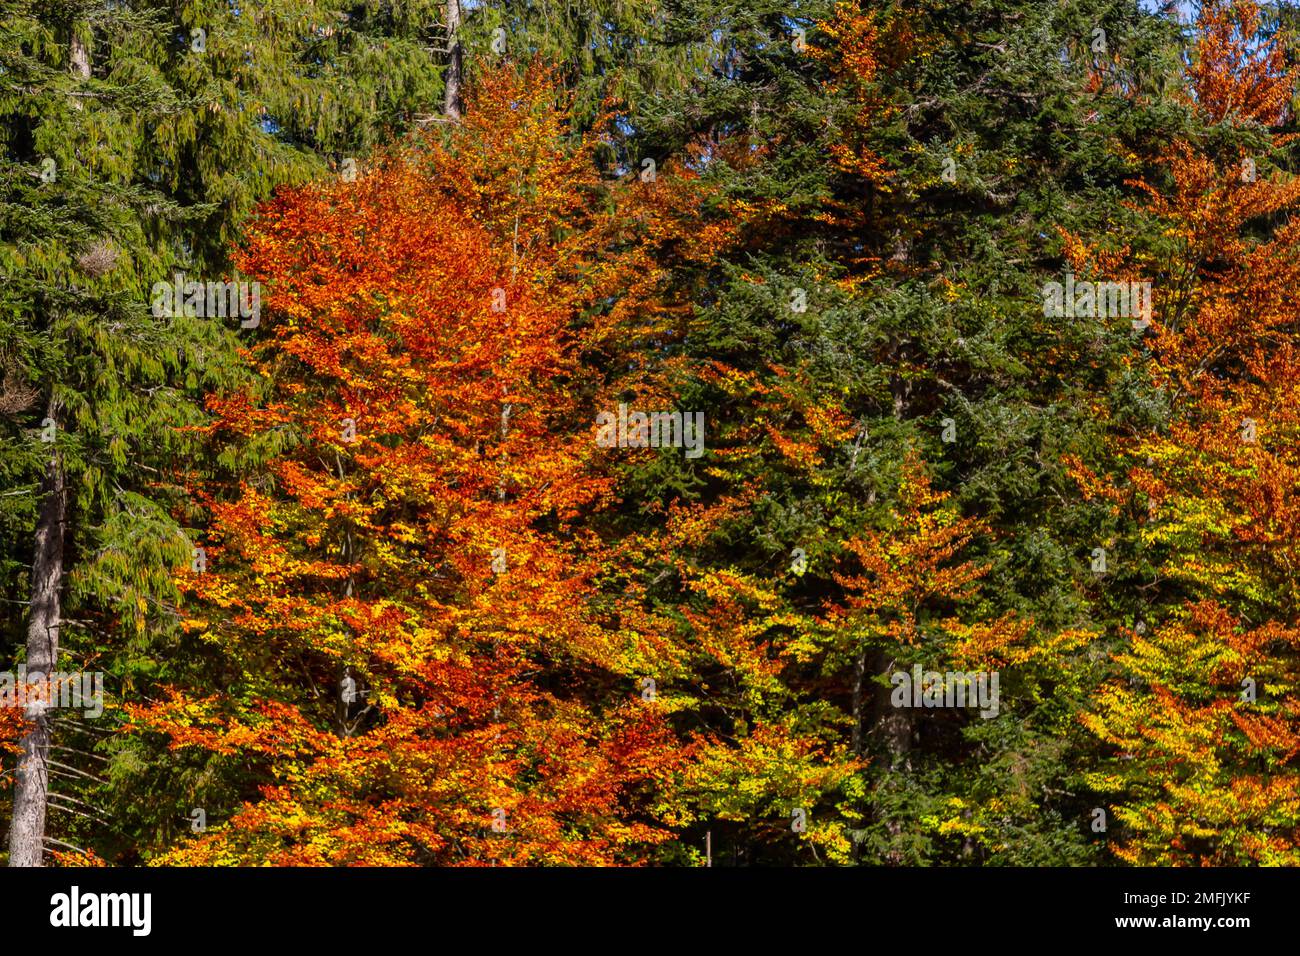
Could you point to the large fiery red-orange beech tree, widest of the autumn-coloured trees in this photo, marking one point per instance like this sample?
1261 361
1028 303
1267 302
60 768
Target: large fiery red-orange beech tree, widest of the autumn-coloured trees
421 654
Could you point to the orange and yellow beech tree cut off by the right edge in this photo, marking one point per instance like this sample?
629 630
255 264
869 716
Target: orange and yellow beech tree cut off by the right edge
1206 715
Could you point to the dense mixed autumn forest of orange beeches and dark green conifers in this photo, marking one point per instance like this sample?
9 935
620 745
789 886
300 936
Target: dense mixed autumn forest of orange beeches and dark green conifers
367 574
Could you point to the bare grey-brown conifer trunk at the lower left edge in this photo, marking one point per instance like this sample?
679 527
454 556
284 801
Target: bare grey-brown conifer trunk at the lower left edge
28 833
